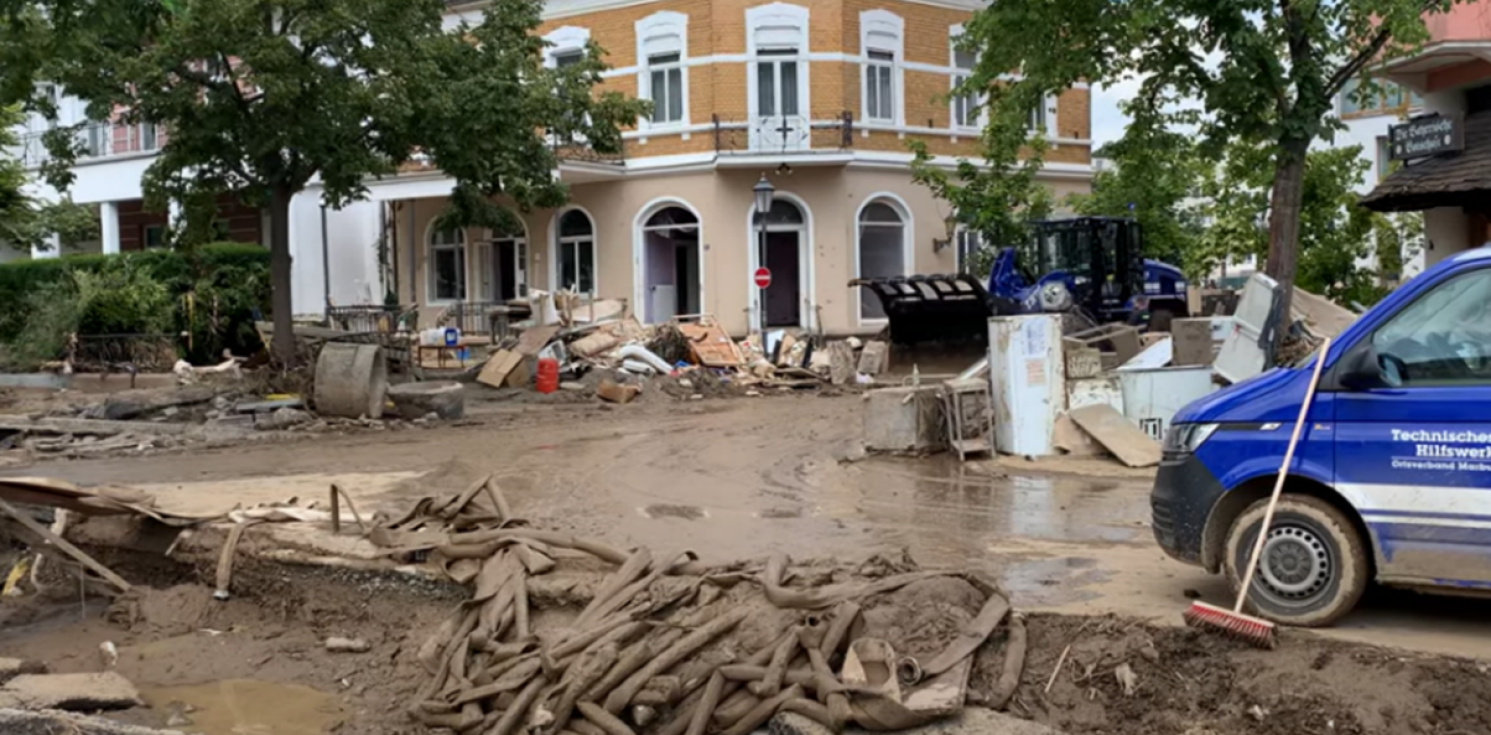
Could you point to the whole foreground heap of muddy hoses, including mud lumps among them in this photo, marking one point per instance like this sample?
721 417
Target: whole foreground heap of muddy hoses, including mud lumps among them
670 646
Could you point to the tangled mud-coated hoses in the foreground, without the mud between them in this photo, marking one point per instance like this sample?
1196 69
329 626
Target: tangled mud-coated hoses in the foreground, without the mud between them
631 661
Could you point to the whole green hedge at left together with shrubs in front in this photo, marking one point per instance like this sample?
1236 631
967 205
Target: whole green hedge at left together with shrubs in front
209 294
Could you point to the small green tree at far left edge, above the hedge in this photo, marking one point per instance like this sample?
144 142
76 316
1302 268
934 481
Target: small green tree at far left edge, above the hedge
28 221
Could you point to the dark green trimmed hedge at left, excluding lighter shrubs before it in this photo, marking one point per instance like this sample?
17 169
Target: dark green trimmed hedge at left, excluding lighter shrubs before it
230 275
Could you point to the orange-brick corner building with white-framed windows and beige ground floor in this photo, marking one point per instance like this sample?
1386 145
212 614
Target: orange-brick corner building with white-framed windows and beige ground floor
818 98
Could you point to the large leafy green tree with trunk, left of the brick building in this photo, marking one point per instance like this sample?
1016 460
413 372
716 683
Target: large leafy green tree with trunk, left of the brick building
262 98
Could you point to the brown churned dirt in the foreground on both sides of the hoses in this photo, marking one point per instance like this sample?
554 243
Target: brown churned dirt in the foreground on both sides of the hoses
257 664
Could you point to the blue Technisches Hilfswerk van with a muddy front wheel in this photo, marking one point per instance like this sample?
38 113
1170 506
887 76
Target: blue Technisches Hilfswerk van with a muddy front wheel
1392 481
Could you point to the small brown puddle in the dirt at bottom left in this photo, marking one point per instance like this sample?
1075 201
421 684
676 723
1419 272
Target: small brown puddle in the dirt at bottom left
245 707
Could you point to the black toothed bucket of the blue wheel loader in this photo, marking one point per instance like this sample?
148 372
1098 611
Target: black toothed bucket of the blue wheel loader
936 308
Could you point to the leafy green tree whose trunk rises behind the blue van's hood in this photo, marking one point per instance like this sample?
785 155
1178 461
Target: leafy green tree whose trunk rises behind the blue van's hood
1259 71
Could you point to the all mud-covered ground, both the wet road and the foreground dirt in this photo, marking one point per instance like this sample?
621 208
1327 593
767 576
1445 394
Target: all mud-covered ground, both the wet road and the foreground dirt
740 479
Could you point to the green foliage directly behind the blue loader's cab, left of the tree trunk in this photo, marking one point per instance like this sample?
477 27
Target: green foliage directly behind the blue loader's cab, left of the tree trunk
1156 181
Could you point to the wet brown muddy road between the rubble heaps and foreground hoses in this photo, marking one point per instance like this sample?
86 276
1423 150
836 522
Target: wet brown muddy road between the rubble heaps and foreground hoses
745 478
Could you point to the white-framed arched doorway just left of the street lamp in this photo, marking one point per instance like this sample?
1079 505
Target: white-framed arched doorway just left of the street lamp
669 260
